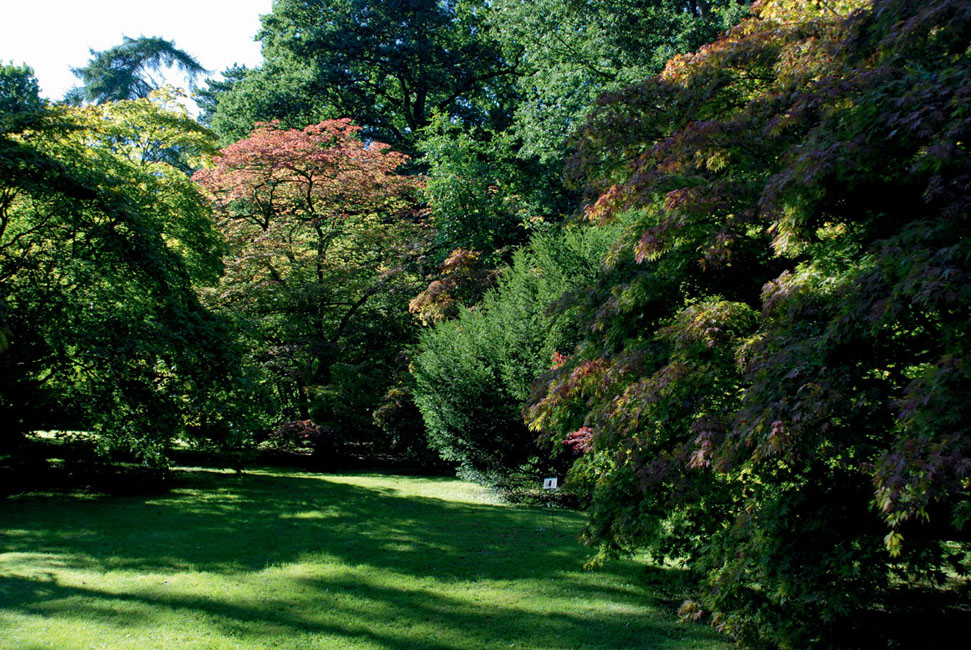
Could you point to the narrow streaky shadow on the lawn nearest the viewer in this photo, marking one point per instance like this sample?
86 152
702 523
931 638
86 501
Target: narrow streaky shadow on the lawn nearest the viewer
390 618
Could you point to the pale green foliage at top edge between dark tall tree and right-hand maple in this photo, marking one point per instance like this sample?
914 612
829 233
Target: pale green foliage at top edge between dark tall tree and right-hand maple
570 51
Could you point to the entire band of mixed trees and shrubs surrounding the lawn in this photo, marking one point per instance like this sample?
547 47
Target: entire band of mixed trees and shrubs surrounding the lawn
705 260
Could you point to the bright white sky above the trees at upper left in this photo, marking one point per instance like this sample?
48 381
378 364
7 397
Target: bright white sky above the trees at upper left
52 36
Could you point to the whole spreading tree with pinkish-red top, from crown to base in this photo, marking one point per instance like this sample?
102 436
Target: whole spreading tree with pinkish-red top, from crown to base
319 226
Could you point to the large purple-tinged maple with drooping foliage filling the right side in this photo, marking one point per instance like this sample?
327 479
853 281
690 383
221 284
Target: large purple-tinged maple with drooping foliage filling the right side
776 354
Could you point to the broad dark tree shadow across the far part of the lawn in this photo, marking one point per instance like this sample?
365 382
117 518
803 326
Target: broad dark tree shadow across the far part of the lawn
251 522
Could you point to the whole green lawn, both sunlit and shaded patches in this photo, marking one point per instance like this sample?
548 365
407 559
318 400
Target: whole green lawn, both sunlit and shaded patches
277 559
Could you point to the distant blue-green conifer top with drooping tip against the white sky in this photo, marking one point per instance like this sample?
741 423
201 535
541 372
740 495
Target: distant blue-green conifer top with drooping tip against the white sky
124 71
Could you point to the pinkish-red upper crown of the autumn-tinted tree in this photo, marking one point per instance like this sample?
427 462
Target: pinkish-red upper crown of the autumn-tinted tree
282 193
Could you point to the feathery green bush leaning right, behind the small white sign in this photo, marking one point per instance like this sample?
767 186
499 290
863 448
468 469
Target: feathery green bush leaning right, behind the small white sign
473 373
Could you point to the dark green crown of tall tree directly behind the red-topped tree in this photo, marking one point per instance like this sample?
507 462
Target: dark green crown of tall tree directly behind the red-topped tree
388 64
